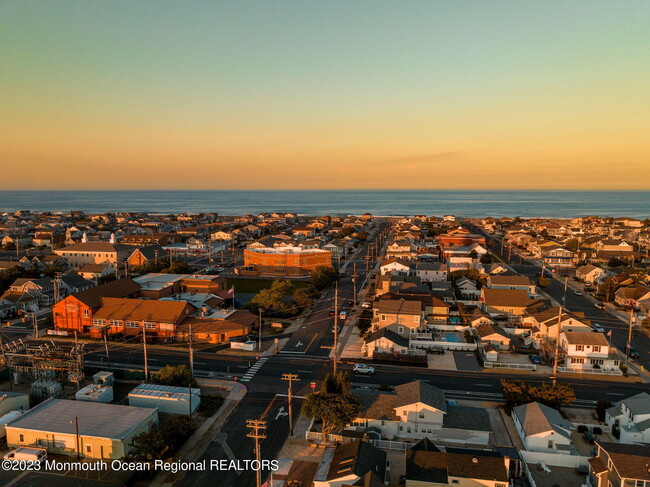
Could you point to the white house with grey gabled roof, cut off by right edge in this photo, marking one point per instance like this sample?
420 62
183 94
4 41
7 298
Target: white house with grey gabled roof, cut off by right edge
632 416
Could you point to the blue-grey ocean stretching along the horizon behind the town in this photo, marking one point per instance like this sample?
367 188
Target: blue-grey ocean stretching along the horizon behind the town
550 204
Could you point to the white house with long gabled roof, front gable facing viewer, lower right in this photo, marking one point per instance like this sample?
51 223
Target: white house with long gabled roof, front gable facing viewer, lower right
542 429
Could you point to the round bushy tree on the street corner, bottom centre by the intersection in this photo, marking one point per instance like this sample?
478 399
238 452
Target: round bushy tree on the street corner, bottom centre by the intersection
334 410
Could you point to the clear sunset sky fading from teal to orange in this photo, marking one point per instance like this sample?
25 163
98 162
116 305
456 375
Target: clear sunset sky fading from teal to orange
372 94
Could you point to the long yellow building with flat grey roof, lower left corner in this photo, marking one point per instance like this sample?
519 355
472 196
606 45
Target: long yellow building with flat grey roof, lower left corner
104 430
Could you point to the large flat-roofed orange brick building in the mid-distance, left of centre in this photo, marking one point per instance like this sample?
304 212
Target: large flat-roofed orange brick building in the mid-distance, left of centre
284 261
